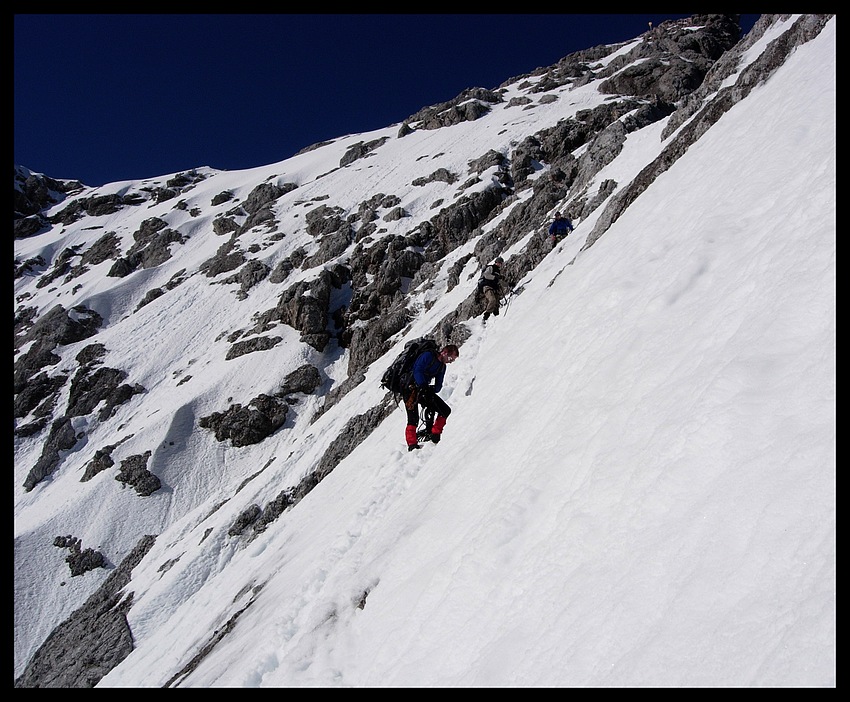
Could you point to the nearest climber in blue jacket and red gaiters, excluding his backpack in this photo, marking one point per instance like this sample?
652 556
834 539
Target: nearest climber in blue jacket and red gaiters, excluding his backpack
428 366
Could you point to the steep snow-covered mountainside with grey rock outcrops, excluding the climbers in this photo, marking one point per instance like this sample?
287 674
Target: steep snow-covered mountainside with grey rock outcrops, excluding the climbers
635 486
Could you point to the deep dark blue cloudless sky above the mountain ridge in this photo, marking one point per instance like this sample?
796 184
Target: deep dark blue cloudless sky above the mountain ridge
105 98
